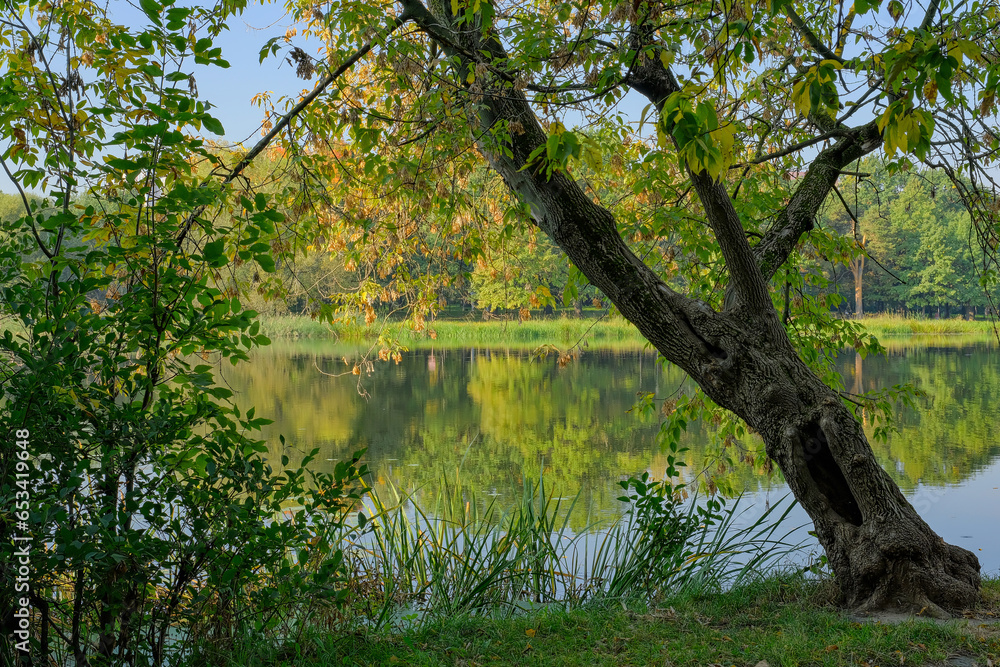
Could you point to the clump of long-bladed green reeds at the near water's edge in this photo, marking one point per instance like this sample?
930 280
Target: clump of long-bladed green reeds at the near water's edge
418 563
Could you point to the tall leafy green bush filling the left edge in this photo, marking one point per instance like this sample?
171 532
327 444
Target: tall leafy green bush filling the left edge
152 522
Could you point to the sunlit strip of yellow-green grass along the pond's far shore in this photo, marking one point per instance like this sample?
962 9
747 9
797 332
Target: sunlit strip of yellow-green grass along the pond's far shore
596 331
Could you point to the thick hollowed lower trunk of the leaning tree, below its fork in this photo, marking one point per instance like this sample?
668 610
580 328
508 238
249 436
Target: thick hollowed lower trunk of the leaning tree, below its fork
882 553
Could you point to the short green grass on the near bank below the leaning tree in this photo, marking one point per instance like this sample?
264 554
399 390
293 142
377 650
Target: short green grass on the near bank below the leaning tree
781 620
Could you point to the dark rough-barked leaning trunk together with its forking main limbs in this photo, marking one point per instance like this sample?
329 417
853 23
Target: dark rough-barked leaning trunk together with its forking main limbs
882 553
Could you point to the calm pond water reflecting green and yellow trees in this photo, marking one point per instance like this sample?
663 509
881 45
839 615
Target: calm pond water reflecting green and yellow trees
491 419
